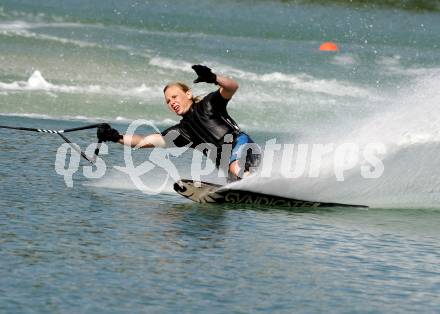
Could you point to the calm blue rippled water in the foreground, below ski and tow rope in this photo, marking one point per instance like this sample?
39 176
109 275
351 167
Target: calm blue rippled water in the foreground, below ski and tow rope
94 249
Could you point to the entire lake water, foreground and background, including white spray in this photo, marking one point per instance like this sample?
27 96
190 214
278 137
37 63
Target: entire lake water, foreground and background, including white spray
102 245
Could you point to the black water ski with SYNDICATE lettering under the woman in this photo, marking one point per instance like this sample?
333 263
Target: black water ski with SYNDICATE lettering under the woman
204 192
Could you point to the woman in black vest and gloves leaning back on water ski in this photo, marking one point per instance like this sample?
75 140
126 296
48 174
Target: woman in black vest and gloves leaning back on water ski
204 121
